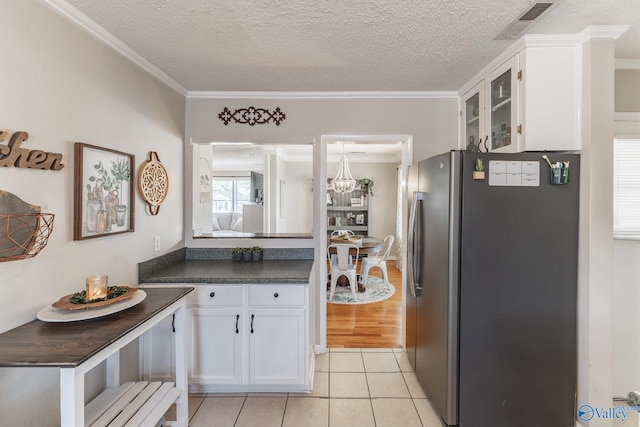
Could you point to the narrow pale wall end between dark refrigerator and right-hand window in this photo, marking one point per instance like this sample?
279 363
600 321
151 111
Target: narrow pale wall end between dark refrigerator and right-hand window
595 265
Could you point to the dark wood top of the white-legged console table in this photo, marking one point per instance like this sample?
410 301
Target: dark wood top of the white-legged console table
69 344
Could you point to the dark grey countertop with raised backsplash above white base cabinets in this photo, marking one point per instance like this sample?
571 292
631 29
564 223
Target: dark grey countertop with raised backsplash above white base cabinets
214 266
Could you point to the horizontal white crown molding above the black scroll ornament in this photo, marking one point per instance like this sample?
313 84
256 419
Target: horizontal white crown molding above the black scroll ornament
321 95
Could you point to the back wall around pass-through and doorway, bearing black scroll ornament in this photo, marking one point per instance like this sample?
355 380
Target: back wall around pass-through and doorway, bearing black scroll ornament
431 121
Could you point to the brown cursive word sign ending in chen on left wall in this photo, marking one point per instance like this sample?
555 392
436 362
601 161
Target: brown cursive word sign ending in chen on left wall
12 155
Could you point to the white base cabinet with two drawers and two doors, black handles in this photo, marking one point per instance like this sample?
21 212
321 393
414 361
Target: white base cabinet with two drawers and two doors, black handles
249 338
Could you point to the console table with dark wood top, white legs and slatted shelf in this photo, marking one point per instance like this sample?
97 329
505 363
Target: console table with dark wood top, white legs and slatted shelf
77 347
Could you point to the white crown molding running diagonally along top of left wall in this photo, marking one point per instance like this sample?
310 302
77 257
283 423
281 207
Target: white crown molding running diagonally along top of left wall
90 26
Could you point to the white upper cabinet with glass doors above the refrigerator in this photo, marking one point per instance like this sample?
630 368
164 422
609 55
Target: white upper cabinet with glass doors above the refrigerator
529 102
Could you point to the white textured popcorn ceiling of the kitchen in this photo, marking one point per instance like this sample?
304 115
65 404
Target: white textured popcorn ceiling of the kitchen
336 45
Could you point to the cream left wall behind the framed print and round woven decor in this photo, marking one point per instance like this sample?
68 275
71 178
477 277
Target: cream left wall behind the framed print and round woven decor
63 86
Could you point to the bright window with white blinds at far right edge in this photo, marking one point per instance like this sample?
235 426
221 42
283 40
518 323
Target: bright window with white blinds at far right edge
626 188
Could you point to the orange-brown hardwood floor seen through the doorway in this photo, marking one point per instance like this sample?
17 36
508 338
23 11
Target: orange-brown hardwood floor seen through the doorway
375 325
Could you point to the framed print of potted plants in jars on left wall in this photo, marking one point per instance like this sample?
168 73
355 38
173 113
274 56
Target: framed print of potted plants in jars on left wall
103 192
